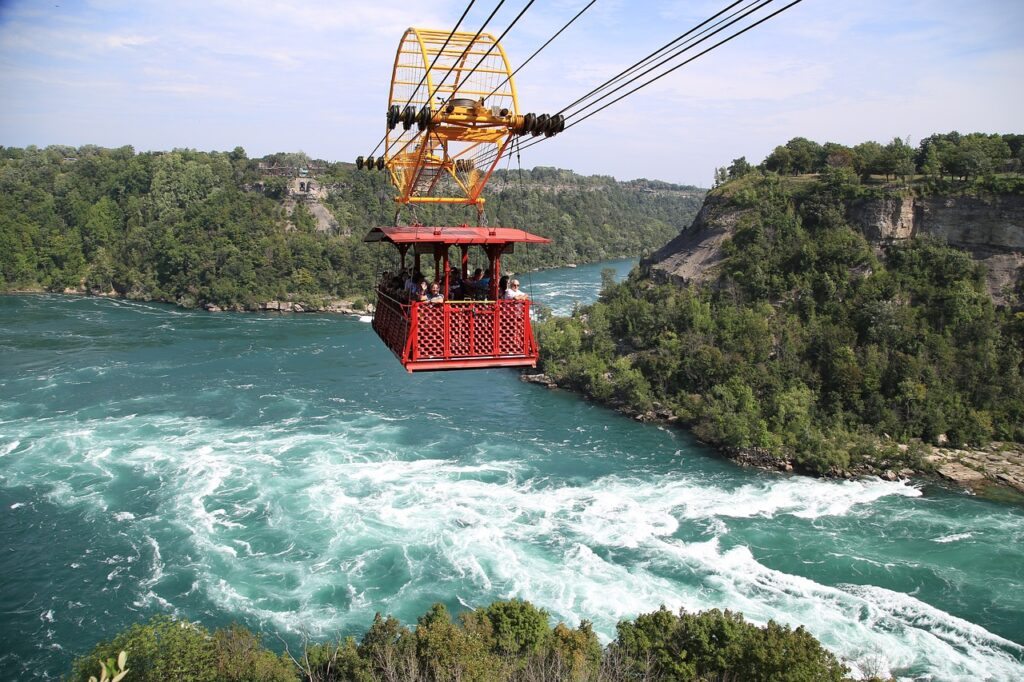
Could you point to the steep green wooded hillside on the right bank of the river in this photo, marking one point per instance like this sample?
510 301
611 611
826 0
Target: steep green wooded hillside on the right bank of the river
805 342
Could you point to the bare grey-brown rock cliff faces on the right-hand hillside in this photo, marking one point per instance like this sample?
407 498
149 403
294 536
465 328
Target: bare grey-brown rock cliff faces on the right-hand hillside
991 229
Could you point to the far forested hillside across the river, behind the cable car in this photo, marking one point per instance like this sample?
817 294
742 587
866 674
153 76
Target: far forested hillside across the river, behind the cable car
197 228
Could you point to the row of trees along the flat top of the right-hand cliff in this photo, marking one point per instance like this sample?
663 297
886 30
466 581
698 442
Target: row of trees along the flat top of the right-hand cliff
938 157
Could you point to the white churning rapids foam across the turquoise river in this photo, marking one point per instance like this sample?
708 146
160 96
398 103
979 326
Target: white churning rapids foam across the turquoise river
314 532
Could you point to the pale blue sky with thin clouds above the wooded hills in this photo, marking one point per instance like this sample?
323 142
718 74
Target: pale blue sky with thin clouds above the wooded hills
285 76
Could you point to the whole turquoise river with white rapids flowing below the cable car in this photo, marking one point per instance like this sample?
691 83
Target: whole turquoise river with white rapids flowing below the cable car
284 472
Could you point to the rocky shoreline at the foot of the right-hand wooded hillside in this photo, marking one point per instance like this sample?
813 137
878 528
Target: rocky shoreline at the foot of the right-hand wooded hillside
997 471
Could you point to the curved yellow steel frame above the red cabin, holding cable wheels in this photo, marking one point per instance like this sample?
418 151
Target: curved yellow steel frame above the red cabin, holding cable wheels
470 127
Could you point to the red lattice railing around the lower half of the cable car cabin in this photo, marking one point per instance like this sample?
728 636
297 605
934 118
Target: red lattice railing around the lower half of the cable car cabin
456 334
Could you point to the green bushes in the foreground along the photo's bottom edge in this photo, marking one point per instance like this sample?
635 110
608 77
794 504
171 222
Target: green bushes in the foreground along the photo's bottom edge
508 641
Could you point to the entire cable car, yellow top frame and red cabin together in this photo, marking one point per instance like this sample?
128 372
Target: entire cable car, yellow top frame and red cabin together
452 113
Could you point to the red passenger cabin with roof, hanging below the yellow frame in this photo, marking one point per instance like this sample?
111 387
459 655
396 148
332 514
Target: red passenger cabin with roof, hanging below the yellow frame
455 335
